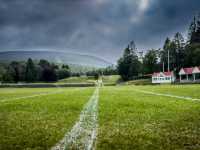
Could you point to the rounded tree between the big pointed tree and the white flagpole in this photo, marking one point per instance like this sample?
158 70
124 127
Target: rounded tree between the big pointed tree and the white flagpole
150 62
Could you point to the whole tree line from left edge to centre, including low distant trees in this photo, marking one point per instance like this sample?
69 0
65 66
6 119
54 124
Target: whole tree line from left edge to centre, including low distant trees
44 71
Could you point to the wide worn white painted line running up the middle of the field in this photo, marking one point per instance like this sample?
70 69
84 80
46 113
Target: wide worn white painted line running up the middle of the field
84 132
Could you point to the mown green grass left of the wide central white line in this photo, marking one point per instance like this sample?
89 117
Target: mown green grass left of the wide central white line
39 122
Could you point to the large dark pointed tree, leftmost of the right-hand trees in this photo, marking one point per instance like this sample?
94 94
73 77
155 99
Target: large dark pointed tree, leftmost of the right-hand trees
128 64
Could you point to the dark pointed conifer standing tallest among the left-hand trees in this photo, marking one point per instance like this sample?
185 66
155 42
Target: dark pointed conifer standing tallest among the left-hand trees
31 73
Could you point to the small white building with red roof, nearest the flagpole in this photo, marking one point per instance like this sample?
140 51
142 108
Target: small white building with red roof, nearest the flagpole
163 77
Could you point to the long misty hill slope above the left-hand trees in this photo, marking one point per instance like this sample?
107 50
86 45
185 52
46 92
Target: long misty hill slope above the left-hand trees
56 57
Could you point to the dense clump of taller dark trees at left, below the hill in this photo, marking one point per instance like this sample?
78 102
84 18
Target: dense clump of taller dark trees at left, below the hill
30 71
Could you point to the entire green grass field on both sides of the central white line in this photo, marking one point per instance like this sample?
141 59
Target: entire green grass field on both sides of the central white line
128 118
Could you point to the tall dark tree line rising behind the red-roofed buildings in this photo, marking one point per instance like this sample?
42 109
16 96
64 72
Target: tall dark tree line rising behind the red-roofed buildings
182 53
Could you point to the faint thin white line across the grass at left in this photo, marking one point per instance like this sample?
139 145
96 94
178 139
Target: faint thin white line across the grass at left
31 96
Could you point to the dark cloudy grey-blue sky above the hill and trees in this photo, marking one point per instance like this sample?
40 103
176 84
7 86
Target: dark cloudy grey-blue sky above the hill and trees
101 28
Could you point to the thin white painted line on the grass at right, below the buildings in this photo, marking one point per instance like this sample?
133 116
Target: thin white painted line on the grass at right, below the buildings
169 95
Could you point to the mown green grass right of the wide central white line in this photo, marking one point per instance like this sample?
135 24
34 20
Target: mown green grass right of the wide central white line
133 120
